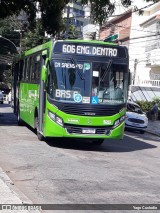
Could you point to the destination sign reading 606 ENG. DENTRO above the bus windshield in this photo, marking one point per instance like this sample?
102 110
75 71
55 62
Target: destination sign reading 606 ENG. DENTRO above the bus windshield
87 49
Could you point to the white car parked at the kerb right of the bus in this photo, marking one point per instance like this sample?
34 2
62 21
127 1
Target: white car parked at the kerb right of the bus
136 119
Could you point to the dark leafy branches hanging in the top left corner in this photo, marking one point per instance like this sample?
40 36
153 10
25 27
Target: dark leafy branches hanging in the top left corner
50 11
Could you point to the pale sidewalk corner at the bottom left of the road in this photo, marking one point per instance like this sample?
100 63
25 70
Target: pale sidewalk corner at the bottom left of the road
9 194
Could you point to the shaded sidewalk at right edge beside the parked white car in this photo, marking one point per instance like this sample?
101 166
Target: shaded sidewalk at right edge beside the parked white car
153 127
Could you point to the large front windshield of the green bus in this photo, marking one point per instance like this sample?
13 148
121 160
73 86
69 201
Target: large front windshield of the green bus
88 82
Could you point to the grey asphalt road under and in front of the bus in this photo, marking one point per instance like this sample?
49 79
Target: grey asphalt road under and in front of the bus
65 171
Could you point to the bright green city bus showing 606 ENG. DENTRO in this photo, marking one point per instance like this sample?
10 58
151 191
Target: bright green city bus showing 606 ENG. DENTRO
68 89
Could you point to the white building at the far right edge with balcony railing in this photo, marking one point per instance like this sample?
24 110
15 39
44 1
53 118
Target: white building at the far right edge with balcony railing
151 29
